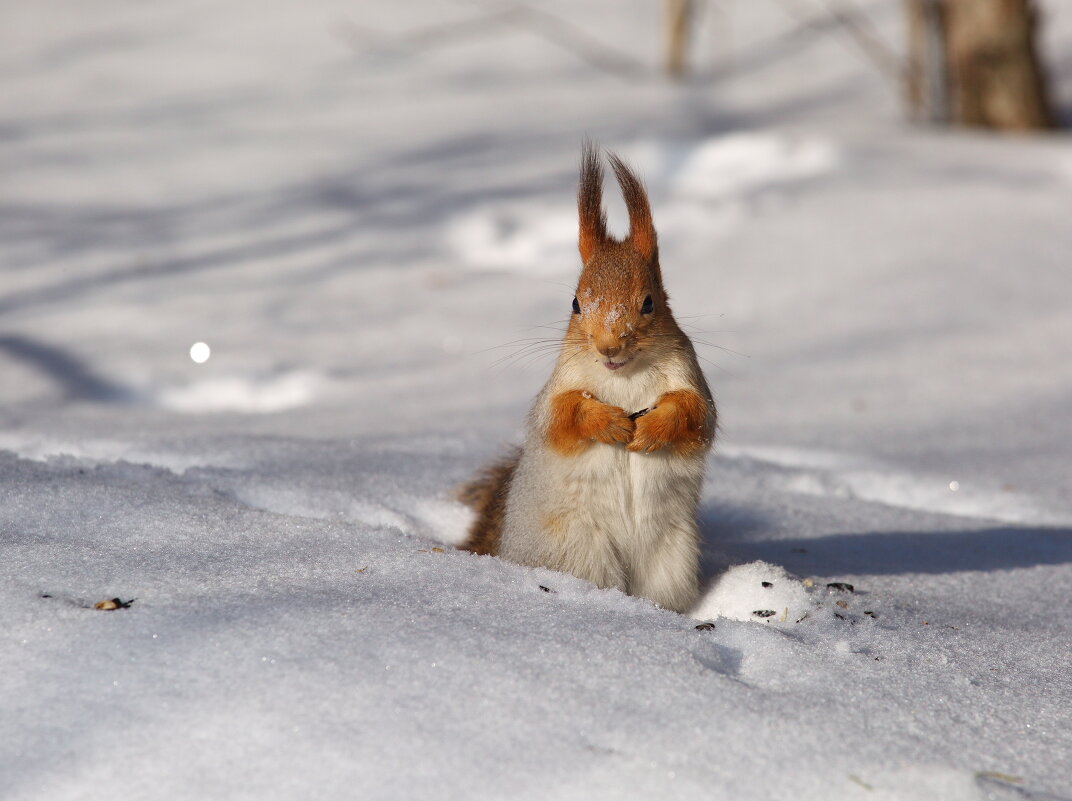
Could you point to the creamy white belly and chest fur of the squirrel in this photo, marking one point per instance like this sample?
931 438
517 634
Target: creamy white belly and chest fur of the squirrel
611 516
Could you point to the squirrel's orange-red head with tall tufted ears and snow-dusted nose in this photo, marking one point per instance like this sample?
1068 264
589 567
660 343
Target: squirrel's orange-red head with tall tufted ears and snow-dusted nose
620 309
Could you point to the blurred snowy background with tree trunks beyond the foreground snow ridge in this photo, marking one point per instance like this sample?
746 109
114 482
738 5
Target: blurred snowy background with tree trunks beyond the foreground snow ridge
229 226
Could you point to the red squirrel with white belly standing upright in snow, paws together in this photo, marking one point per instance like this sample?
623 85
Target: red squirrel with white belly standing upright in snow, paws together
607 483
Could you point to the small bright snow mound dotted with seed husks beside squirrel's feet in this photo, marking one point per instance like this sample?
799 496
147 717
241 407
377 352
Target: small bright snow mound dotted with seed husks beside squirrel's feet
758 591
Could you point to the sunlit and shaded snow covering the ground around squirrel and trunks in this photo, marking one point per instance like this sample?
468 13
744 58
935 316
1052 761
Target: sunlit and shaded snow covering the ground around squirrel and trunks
355 232
